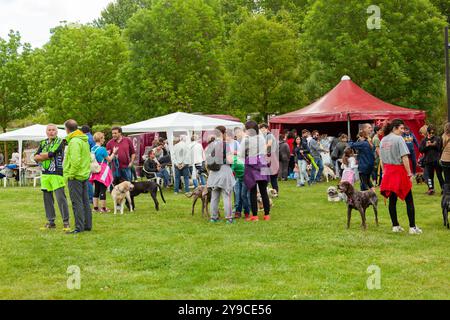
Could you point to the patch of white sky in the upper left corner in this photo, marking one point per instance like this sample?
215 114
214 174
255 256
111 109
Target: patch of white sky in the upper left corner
34 18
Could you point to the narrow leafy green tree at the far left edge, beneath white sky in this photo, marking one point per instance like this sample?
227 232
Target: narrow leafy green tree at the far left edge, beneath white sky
14 82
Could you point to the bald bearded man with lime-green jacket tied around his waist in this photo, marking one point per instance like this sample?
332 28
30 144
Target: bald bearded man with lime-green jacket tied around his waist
50 157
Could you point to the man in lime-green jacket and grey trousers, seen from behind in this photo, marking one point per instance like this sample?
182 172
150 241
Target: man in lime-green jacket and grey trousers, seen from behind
77 169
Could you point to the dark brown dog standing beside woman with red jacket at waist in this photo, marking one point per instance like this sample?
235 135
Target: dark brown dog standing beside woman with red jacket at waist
359 200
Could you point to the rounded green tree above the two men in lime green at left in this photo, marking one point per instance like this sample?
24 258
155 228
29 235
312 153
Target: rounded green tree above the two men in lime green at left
80 73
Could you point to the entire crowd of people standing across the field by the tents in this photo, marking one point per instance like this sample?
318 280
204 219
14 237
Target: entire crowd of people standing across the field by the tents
238 164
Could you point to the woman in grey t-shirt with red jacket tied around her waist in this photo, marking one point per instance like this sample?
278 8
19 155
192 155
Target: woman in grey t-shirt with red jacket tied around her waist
397 176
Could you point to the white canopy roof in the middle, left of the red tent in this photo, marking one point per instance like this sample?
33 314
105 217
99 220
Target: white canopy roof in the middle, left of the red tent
180 121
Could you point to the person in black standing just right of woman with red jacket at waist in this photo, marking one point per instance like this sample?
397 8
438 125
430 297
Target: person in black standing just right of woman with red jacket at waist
431 147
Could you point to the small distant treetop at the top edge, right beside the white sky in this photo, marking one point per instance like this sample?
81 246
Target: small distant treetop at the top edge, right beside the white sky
120 11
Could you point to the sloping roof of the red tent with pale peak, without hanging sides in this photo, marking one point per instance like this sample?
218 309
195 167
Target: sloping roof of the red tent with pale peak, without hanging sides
345 99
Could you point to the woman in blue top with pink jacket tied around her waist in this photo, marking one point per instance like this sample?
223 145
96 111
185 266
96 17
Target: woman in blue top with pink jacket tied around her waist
101 175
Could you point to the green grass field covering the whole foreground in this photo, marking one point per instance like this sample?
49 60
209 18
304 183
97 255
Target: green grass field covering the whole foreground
304 252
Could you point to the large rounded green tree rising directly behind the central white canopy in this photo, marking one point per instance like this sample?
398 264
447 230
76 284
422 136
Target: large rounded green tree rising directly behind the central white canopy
175 58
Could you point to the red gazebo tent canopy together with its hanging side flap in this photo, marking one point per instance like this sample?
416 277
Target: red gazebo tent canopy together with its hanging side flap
343 109
